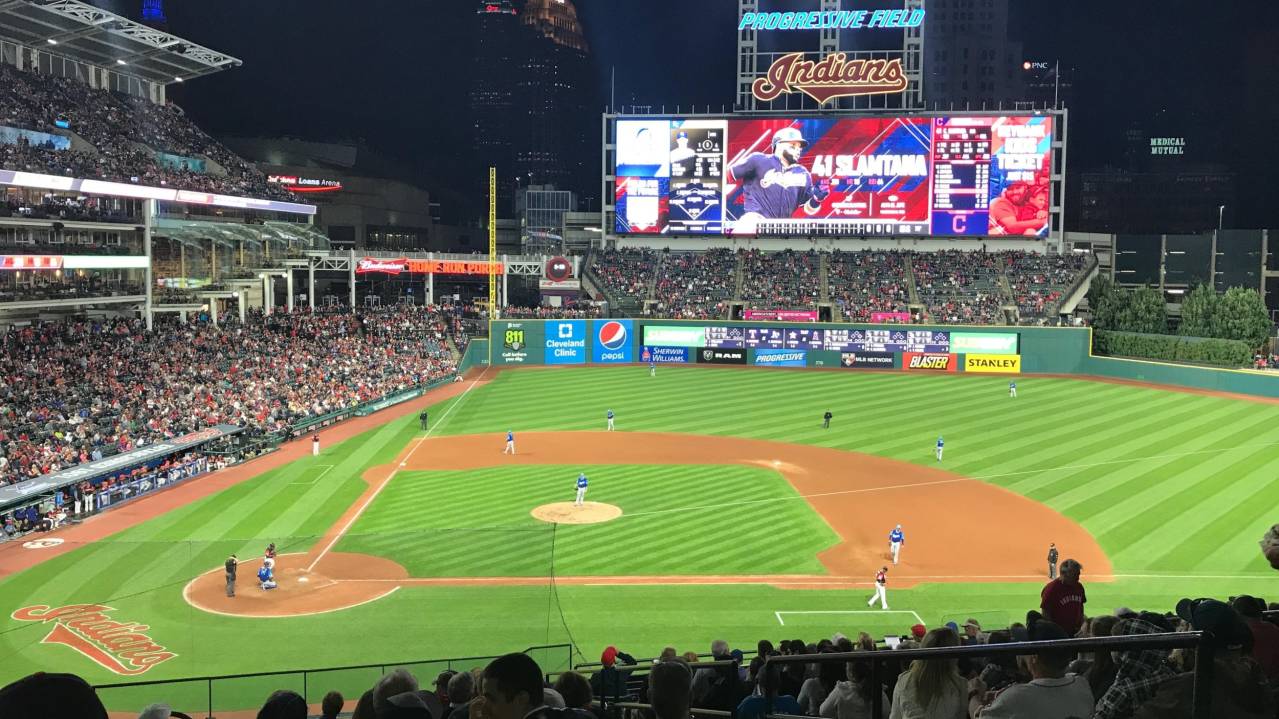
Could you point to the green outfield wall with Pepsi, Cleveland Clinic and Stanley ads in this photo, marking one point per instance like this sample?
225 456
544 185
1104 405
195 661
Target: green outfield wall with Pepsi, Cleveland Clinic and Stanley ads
925 349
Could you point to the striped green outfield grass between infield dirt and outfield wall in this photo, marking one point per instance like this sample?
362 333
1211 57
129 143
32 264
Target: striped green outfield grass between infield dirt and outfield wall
1166 480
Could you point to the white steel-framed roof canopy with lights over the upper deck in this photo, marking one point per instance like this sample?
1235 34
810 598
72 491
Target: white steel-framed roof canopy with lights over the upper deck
90 35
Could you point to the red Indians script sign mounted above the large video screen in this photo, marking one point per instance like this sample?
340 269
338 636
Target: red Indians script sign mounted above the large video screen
835 76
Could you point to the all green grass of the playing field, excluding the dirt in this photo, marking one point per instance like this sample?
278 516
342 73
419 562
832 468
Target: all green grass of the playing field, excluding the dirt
1177 488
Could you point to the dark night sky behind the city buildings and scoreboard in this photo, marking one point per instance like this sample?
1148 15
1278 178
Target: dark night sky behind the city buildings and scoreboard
393 74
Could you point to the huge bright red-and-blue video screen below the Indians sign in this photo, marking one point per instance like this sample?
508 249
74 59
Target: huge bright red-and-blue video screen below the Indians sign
872 176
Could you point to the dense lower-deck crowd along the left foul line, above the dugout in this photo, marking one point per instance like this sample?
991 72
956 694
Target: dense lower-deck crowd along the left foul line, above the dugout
79 391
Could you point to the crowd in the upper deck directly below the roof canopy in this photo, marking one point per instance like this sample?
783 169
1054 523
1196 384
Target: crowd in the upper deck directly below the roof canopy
126 135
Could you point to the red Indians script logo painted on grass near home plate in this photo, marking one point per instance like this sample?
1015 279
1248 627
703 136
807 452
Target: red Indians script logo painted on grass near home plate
120 647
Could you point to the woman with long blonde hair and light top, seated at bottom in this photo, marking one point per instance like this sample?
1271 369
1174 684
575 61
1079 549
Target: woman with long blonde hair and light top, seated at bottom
932 689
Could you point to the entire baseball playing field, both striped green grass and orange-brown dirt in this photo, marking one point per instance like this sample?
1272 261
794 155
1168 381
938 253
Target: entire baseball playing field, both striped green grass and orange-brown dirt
423 538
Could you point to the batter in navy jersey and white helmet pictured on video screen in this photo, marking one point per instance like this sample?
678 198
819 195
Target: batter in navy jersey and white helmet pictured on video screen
776 186
